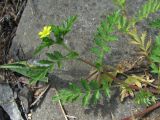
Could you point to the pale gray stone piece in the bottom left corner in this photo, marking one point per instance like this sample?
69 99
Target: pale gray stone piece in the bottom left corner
8 103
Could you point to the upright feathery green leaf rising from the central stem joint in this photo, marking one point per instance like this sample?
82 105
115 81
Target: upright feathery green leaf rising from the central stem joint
105 35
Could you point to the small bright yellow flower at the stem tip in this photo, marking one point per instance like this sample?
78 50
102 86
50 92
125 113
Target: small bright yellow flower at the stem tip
45 32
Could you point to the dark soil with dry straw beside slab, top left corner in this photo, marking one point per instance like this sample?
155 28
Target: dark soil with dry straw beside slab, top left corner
10 14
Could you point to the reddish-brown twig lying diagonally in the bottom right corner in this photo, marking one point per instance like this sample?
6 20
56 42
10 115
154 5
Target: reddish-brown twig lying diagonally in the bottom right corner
144 112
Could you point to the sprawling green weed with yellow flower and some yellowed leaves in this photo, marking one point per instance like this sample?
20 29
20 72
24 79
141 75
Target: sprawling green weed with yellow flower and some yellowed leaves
102 77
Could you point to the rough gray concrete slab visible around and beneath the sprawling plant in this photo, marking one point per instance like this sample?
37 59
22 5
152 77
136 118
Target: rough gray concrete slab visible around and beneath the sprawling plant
90 12
